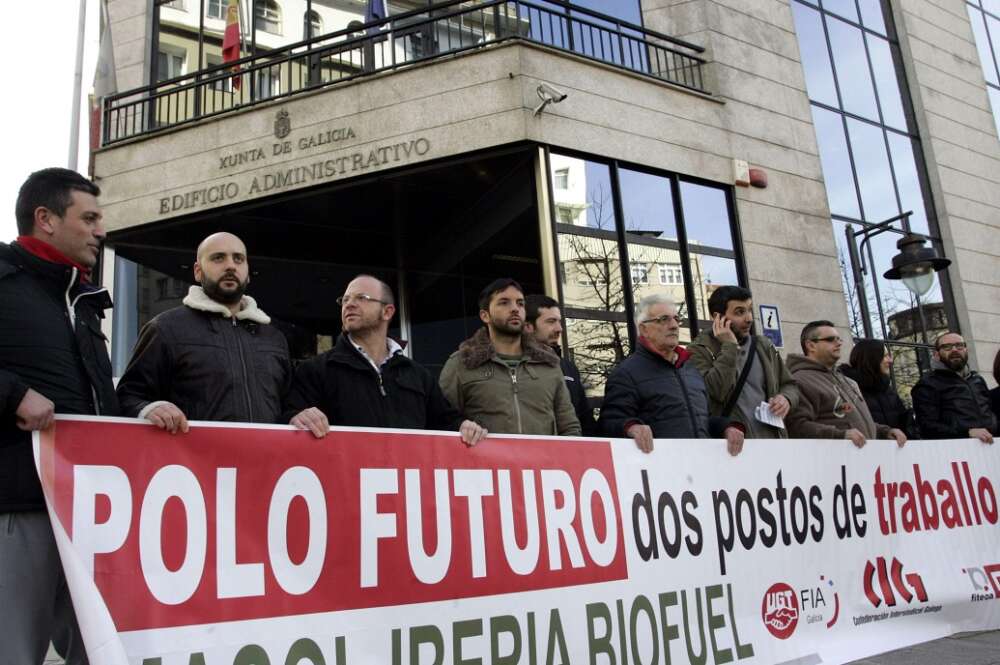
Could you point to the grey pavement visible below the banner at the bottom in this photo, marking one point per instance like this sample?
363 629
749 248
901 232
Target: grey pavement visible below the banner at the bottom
982 648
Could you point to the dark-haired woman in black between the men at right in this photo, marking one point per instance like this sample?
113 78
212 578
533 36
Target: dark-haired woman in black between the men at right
869 367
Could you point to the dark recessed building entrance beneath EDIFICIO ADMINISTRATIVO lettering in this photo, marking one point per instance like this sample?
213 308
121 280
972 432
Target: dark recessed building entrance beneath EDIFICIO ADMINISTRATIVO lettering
437 234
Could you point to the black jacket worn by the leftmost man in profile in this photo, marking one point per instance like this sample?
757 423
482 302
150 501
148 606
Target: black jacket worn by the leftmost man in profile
51 342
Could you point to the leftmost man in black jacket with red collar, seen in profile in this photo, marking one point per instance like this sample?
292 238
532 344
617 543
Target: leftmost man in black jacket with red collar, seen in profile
53 359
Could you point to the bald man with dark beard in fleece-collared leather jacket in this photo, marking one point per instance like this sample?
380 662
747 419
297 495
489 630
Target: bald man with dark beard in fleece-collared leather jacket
216 357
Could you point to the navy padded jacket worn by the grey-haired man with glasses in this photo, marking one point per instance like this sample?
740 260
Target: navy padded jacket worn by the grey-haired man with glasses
648 389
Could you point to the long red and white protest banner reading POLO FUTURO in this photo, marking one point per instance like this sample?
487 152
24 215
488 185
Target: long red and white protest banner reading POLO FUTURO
252 545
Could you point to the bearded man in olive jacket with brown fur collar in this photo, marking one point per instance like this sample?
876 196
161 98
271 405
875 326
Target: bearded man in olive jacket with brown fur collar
503 378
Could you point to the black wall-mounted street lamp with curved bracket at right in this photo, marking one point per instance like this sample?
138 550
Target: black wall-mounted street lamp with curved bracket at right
915 266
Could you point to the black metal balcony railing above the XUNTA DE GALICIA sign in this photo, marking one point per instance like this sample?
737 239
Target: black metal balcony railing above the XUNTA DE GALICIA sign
398 41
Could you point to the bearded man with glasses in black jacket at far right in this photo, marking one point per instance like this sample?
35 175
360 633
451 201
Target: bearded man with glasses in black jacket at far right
952 401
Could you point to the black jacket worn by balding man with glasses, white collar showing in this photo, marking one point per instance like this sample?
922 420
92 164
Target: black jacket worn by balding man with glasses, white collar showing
343 384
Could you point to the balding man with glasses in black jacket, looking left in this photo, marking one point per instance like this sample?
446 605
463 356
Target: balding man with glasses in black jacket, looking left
365 380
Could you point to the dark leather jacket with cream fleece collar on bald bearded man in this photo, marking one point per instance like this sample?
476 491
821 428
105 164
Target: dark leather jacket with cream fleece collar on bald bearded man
210 364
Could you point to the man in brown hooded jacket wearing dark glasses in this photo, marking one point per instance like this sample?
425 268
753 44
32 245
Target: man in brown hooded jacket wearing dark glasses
831 405
